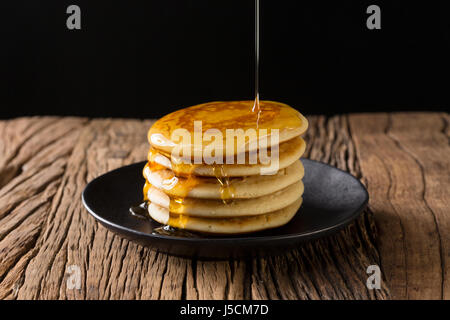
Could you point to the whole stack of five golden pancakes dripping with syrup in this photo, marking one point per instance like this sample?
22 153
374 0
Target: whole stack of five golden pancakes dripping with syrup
226 198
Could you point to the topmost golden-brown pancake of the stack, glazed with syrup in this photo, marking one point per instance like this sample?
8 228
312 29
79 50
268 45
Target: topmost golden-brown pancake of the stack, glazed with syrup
222 116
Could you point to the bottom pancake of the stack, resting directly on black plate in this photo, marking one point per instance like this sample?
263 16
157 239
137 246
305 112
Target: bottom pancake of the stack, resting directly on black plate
225 226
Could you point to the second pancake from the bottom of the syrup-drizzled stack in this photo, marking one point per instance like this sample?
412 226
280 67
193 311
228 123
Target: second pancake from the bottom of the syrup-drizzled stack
233 208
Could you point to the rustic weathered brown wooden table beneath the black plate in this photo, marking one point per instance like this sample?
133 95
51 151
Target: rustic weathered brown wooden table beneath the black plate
403 159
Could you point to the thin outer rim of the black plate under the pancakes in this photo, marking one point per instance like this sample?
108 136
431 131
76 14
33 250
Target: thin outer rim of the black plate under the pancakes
231 240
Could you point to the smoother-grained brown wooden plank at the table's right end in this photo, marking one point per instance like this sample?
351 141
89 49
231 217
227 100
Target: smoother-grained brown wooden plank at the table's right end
405 159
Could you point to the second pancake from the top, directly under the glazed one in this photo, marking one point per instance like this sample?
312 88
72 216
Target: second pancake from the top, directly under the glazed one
289 152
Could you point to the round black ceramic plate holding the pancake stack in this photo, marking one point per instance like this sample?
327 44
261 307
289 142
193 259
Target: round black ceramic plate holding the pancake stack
332 199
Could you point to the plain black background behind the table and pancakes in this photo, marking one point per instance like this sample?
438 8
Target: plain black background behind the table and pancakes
146 58
